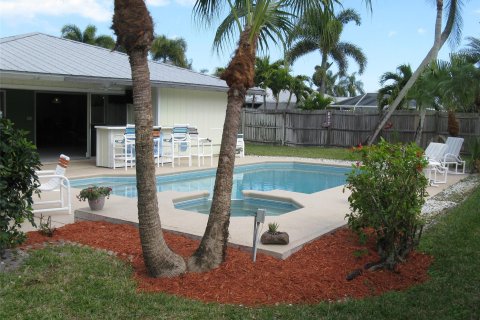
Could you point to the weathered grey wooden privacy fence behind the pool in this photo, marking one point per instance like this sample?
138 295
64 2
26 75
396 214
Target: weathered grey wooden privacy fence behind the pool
347 128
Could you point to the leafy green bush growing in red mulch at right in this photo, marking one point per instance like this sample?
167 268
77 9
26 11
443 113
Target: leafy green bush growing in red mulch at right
388 190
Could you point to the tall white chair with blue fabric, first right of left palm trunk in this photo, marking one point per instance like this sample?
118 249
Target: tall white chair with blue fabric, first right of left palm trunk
178 145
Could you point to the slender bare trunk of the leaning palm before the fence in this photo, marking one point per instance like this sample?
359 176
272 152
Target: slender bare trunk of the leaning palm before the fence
440 38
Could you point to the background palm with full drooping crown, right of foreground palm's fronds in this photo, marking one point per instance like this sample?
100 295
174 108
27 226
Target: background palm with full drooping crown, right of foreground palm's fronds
319 30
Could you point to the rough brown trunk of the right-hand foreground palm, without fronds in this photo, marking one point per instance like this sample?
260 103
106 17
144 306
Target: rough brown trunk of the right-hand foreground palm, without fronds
239 77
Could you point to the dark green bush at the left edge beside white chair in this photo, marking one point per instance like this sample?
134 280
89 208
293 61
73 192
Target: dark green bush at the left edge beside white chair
18 161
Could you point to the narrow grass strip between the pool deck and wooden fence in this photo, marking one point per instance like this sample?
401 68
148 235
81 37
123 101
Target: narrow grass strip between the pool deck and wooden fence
303 152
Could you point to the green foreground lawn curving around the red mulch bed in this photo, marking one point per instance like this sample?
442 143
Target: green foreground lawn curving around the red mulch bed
68 282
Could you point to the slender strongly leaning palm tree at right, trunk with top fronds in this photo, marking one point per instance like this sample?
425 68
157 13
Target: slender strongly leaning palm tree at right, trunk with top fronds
453 24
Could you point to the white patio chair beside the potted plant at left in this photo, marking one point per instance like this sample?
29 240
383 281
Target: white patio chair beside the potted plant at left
55 181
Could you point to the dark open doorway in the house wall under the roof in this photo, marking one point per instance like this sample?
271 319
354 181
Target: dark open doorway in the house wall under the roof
61 125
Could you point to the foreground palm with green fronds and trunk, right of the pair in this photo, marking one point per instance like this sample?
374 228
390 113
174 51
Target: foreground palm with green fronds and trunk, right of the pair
256 22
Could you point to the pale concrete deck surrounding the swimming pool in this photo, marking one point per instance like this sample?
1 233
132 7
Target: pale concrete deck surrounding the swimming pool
321 212
